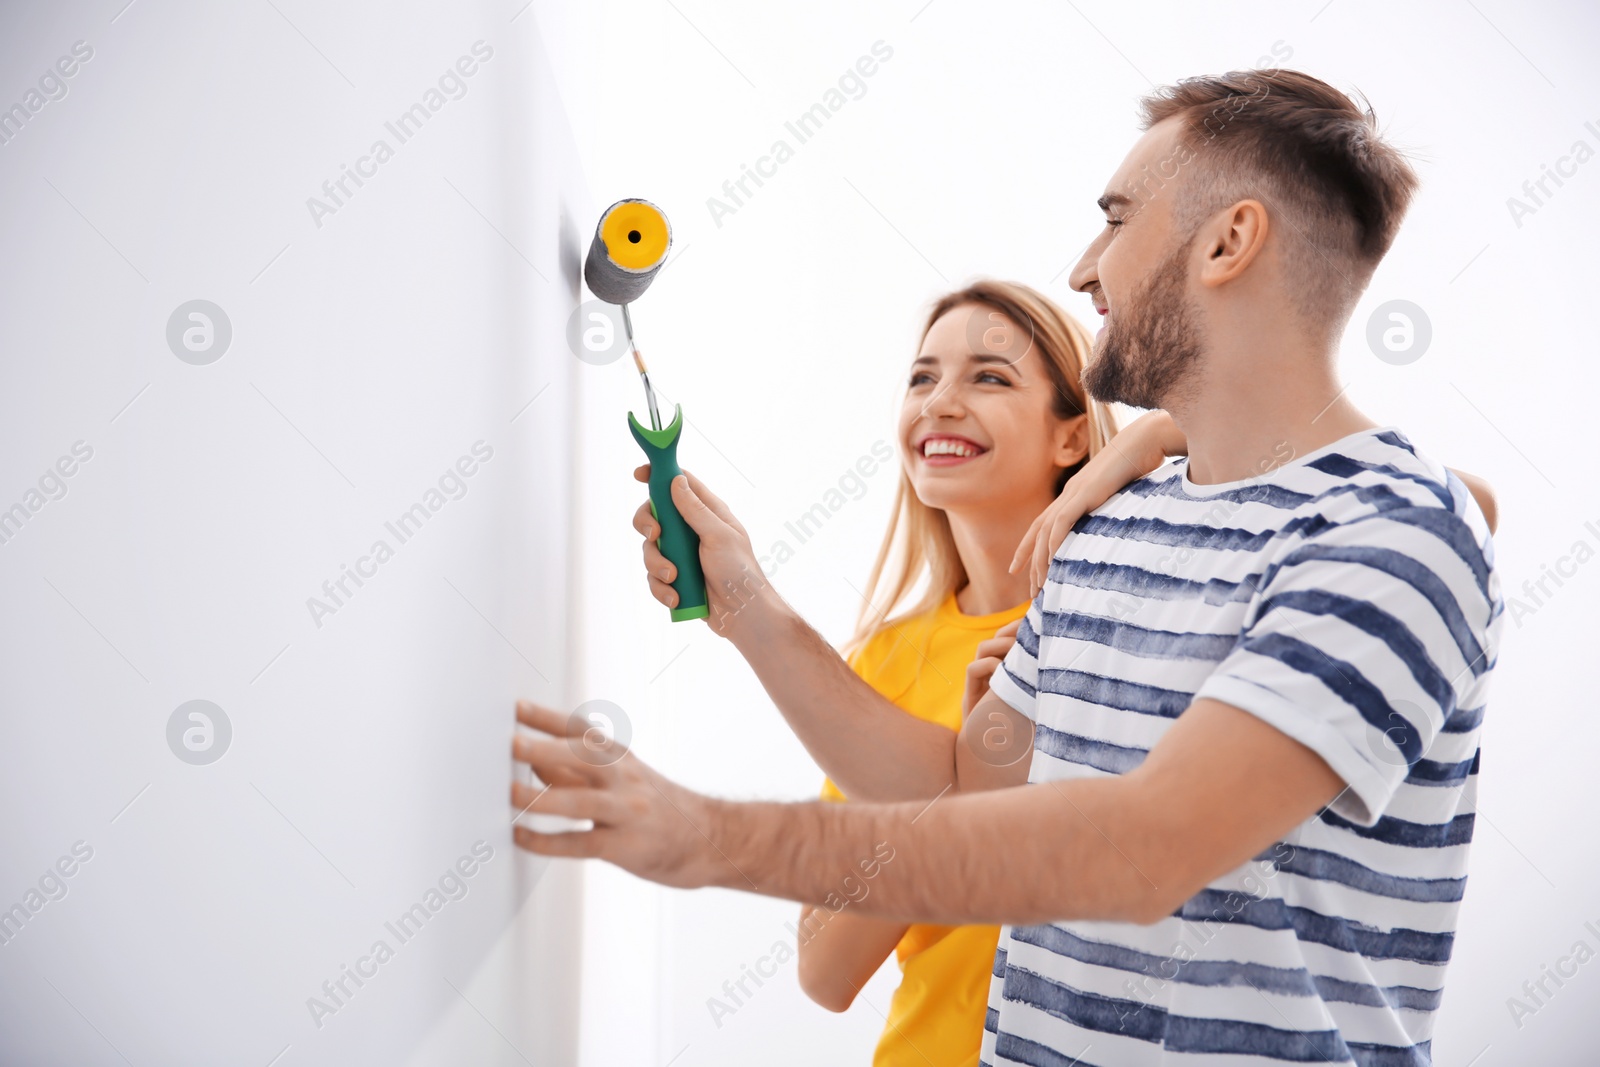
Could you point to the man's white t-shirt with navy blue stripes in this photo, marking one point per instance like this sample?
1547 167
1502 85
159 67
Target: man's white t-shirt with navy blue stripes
1348 597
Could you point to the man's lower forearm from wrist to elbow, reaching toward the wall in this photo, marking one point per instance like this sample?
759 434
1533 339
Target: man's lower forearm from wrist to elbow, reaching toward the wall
945 861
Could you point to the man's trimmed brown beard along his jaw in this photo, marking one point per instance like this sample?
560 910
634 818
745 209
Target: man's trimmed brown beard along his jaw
1151 350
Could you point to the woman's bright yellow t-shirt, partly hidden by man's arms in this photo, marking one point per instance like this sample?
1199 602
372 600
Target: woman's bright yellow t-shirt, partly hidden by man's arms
937 1015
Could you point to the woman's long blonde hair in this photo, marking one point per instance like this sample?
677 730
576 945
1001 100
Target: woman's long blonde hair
919 538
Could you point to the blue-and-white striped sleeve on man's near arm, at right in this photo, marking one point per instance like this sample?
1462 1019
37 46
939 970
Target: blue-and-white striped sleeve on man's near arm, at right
1361 642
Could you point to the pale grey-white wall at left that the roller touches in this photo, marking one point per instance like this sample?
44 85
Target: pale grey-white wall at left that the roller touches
369 353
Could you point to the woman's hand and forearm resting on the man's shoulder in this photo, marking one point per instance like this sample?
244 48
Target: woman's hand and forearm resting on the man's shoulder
1140 449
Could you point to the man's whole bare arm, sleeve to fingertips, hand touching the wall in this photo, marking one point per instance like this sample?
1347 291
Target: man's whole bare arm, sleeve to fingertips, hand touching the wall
1218 789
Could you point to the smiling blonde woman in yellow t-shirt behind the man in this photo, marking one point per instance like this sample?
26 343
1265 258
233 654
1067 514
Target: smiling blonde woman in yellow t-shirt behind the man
993 425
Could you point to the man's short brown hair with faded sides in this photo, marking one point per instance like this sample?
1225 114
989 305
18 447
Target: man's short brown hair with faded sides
1311 156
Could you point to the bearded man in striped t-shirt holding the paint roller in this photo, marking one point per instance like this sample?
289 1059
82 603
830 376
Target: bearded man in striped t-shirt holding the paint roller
1250 690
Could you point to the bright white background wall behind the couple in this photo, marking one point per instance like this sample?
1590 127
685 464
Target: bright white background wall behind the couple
980 150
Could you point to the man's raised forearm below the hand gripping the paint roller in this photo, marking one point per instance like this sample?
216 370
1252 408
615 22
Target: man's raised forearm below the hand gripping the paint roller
873 749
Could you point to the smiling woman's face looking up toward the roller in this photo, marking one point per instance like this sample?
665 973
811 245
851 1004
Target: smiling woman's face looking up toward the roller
978 428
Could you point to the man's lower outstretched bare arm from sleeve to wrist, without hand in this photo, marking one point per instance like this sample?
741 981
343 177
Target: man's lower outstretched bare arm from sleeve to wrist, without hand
1218 789
